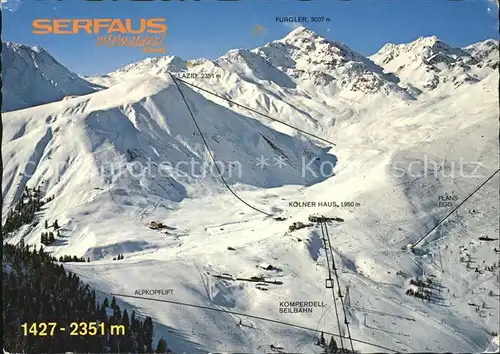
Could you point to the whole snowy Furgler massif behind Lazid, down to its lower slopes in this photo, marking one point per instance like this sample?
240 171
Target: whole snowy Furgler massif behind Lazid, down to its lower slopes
306 80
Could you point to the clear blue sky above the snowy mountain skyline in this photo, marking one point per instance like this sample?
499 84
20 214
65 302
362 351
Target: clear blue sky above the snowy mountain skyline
210 28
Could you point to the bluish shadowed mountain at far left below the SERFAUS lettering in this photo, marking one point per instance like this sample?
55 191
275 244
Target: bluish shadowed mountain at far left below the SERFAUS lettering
32 77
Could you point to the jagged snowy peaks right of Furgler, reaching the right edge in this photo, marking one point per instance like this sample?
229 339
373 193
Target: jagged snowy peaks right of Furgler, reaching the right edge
429 64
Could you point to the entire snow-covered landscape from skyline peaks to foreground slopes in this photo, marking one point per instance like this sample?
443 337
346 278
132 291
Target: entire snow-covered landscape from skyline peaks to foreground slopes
415 128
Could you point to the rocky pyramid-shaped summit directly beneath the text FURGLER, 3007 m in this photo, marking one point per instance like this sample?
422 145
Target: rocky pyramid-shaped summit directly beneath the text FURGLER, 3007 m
315 61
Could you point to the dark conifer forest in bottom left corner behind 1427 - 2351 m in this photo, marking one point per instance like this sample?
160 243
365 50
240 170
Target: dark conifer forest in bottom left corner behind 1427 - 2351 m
60 295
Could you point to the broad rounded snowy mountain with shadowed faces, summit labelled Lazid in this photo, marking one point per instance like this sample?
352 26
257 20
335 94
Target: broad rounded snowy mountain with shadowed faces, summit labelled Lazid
135 145
